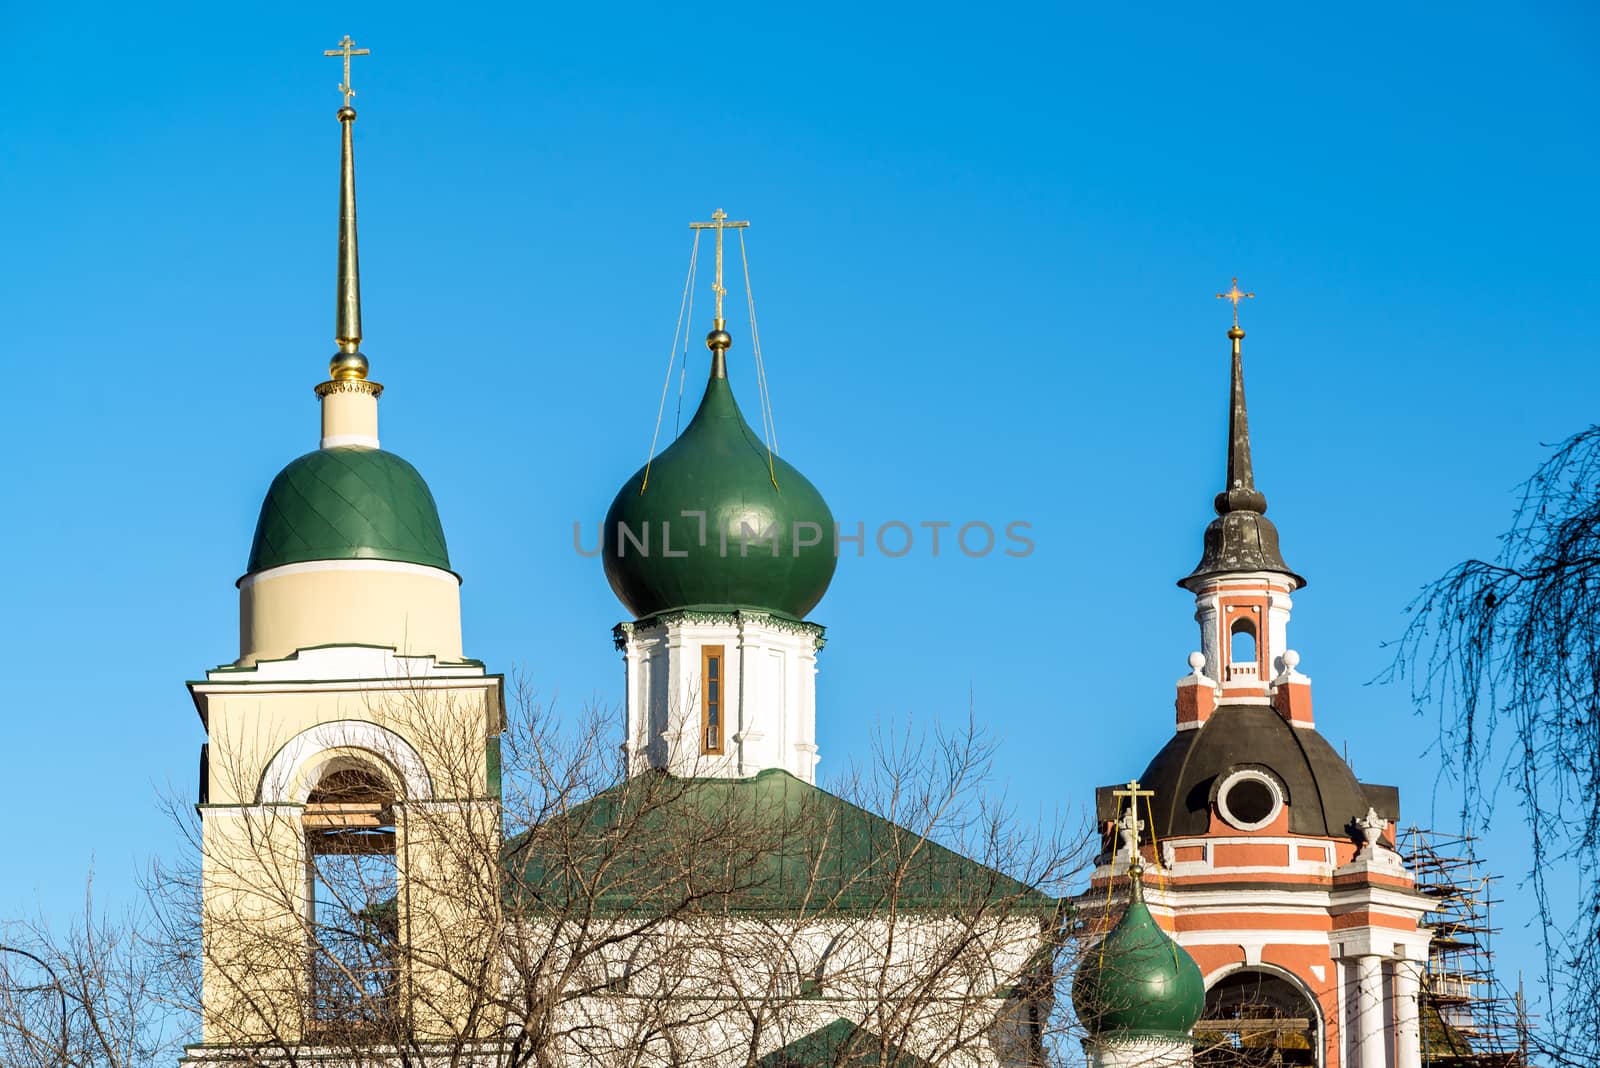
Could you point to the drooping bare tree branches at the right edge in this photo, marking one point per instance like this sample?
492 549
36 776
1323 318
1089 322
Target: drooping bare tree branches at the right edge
1506 652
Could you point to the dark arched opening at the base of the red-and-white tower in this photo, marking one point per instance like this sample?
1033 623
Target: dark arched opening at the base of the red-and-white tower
1257 1018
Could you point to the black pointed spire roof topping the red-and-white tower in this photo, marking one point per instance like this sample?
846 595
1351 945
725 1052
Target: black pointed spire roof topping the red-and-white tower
1241 538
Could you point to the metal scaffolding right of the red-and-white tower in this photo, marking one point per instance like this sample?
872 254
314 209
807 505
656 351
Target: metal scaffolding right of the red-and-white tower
1468 1018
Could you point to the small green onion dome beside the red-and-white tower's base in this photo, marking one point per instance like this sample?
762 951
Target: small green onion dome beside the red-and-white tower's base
1138 982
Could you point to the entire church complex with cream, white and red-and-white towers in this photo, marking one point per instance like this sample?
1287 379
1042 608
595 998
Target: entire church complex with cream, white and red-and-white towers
711 904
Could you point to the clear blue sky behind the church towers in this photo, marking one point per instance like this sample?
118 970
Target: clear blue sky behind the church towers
985 244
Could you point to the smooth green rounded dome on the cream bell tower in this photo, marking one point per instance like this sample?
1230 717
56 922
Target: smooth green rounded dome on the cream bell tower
348 504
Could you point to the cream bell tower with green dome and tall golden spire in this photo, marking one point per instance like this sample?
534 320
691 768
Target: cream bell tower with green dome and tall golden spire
350 787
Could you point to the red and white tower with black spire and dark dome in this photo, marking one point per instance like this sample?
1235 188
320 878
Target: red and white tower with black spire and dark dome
1266 859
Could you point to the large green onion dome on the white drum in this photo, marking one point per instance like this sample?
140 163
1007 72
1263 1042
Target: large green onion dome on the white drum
719 468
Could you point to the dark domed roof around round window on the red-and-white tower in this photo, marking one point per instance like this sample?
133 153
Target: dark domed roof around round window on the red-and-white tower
1324 795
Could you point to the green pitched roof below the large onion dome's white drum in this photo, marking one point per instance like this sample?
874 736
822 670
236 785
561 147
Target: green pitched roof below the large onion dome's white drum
770 843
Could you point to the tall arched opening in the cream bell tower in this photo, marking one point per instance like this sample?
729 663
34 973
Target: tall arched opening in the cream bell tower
353 899
